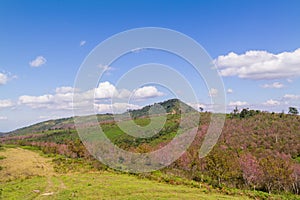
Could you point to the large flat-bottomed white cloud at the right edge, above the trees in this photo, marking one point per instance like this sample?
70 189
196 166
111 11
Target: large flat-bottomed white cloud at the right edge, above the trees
260 65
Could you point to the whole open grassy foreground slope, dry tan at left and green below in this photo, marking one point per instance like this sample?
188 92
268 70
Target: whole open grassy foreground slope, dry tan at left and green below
32 177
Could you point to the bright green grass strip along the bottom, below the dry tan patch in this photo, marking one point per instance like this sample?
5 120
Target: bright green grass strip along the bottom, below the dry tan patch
104 185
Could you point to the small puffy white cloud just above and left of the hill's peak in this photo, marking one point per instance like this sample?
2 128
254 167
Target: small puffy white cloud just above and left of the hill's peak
146 92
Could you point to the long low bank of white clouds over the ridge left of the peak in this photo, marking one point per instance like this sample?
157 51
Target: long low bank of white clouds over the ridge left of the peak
62 99
